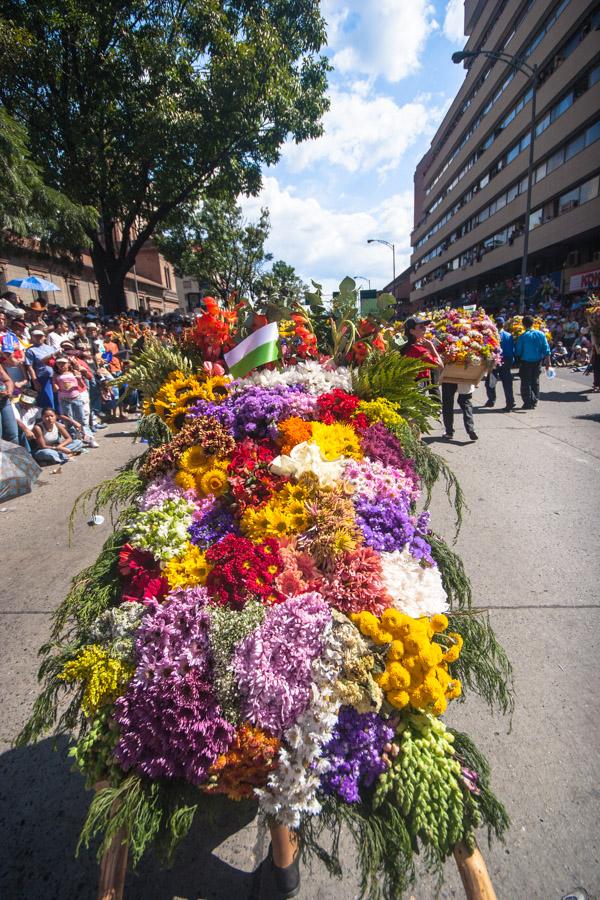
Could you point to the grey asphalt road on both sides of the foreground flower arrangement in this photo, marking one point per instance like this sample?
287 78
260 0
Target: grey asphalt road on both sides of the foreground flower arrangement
530 544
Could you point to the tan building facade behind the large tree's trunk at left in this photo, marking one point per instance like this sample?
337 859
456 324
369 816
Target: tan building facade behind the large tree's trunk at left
150 287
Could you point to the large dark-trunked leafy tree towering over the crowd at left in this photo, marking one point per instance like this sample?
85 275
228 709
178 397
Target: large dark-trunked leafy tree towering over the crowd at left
140 107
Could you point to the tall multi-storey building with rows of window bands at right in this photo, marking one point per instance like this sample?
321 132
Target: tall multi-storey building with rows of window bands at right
470 187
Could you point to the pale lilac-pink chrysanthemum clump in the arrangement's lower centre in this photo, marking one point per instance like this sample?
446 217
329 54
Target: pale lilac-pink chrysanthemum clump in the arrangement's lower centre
273 663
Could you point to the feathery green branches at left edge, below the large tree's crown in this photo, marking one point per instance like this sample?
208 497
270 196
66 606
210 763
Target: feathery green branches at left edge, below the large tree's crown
28 207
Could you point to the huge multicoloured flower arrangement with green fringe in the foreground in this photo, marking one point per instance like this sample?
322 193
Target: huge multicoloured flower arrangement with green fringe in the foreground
275 620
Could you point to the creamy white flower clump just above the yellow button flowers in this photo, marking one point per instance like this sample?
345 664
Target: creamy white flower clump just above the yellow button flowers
415 589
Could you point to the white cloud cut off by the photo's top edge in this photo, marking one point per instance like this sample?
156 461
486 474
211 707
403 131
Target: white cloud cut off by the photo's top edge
379 40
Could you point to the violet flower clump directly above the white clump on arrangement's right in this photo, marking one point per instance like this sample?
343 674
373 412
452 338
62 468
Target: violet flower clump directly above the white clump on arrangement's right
387 525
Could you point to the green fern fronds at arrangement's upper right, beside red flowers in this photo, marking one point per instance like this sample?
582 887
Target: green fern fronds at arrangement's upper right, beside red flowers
394 377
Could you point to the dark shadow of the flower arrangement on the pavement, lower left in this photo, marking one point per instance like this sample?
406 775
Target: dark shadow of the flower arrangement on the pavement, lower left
43 806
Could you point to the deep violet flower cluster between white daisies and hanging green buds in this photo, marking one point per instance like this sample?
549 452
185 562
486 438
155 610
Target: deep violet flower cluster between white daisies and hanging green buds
355 753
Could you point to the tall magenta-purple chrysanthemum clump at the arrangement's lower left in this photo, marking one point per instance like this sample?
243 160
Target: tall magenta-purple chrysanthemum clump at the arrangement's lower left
170 721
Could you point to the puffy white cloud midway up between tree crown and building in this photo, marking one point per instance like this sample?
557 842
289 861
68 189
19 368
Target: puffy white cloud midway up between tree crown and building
365 132
